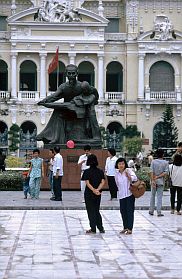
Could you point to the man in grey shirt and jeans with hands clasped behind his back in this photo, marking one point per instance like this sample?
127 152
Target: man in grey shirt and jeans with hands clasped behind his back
158 170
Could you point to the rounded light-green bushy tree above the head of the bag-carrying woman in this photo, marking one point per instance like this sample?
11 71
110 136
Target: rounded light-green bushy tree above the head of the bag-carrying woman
132 146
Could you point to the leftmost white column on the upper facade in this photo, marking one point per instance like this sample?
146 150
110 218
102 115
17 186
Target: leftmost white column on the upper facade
14 75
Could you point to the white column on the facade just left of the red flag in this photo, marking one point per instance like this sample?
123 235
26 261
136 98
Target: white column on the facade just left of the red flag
42 75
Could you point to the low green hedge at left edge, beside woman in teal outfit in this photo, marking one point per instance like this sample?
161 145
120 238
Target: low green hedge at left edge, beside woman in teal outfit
11 181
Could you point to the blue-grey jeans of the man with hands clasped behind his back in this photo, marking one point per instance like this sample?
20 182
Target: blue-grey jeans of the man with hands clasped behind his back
159 190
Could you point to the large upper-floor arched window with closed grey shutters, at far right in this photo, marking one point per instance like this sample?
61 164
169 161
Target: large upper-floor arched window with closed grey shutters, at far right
161 77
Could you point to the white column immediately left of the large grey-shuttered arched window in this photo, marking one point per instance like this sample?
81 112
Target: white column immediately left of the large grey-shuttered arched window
141 76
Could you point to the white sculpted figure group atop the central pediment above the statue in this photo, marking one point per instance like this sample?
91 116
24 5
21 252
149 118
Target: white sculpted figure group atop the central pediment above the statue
57 11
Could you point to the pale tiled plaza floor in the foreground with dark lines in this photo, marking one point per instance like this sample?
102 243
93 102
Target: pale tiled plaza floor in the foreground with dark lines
52 244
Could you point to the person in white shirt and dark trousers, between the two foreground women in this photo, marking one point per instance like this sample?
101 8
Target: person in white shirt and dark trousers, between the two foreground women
110 172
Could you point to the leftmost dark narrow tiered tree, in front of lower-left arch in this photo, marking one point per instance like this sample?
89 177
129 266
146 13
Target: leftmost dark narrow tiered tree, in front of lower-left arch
14 137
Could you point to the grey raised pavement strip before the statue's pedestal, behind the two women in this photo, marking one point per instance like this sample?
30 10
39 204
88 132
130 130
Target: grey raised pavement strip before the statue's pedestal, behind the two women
71 200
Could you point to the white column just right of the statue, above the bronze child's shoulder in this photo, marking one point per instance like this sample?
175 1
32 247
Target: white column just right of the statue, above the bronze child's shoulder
101 76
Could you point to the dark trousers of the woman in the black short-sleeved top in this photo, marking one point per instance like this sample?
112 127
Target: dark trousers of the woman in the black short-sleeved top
92 207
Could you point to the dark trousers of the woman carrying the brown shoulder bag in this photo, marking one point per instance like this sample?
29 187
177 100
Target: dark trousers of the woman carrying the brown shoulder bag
127 207
